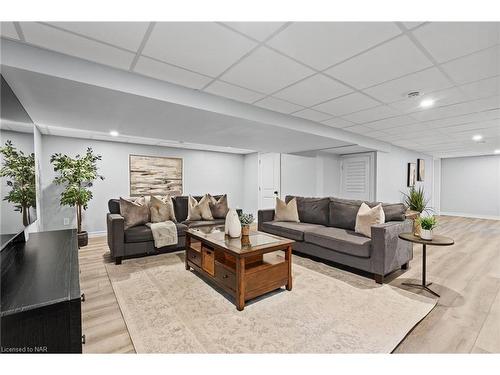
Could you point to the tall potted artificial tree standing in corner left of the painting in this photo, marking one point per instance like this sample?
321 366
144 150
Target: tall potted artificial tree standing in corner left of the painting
77 175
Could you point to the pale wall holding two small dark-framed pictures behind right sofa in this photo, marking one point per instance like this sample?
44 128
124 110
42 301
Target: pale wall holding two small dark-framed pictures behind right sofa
391 174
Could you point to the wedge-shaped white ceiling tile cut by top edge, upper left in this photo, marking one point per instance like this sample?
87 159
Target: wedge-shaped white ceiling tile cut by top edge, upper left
127 35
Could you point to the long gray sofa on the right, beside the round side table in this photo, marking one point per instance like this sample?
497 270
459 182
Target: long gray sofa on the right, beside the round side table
326 231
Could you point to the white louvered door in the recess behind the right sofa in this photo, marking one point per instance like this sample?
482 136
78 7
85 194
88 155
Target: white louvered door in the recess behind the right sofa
357 177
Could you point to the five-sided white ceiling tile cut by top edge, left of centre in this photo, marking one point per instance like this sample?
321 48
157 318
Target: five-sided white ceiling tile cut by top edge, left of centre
203 47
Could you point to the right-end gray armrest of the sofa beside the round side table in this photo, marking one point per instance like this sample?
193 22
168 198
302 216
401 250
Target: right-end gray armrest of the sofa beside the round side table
389 252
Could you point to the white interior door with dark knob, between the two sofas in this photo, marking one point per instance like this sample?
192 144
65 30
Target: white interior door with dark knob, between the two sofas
269 179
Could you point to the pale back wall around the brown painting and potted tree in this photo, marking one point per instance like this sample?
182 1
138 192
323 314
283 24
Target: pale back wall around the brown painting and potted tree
204 172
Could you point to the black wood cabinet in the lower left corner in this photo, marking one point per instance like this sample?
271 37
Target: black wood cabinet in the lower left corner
40 309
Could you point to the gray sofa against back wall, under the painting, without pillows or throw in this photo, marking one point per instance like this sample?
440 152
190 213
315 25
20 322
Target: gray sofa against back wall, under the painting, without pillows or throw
138 240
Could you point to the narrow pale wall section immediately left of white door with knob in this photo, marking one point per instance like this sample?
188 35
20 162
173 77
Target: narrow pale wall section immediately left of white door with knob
251 183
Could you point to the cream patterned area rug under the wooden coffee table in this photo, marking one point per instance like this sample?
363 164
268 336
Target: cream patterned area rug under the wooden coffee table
170 310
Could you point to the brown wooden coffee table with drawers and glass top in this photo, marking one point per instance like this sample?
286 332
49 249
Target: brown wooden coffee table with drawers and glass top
244 267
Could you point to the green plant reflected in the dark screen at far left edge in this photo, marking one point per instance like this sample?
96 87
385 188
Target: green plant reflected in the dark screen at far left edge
20 171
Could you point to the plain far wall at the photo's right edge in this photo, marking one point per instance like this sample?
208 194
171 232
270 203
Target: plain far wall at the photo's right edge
470 186
